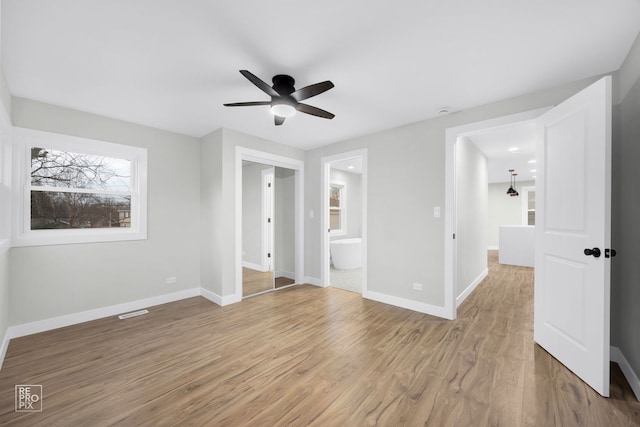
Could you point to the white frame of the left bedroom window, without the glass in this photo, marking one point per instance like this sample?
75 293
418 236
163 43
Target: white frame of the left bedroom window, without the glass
24 139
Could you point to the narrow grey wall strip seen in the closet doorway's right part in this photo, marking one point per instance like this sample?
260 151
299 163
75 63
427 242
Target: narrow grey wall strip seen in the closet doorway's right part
284 223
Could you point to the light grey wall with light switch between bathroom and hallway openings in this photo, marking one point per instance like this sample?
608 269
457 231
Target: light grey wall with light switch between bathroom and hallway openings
406 173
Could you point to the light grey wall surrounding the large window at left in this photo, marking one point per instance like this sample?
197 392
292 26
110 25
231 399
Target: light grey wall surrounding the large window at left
65 279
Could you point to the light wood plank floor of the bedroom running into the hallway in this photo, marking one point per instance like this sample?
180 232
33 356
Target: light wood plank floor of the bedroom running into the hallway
310 356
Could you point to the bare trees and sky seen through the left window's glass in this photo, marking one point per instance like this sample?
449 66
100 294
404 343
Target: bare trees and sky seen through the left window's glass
75 190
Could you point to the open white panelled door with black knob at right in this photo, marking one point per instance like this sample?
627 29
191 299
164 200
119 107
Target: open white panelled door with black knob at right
573 227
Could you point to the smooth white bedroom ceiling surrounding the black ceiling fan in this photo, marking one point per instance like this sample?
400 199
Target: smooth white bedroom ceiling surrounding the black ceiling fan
172 64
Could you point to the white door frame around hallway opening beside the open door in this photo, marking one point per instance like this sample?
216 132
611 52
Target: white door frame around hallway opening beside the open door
450 246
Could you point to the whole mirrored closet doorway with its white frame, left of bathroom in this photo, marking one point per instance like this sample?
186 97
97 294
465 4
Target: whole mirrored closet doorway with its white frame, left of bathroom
278 238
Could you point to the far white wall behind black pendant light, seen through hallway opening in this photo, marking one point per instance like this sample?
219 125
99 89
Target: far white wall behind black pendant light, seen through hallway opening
504 209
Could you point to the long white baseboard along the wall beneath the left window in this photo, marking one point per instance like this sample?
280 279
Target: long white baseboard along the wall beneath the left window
99 313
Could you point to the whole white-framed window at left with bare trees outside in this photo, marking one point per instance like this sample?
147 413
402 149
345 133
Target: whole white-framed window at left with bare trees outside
79 190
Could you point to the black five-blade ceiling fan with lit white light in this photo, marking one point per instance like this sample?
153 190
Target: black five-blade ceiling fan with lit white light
285 99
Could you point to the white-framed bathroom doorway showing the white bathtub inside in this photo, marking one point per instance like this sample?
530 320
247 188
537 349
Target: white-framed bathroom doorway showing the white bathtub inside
344 195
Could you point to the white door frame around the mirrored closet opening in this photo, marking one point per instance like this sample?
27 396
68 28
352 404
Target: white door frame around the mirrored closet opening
243 153
